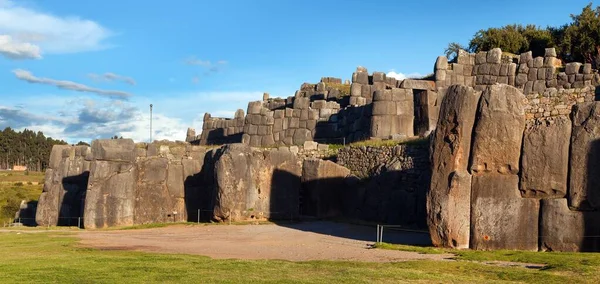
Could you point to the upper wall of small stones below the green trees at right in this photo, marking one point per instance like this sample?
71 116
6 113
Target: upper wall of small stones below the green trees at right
550 88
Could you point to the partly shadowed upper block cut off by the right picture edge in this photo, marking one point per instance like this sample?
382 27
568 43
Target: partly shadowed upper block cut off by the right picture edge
584 181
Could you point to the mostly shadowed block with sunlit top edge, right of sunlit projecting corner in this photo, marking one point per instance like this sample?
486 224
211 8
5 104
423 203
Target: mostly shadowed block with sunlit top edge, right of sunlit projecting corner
324 182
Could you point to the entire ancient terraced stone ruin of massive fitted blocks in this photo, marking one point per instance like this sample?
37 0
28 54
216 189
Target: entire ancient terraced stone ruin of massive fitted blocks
507 159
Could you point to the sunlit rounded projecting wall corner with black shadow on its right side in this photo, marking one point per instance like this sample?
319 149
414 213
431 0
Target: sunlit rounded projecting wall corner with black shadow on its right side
256 184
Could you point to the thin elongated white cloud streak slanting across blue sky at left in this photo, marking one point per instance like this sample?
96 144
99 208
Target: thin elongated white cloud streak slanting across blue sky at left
68 85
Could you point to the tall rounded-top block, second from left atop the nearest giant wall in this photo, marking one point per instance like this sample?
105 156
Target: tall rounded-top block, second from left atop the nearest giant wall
499 130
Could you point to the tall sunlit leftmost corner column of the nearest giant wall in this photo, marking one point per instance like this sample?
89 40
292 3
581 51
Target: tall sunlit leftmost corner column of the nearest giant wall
448 201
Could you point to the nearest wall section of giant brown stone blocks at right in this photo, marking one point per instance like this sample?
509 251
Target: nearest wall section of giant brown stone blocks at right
504 182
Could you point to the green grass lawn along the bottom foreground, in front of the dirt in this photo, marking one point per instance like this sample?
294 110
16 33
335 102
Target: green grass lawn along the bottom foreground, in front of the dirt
54 256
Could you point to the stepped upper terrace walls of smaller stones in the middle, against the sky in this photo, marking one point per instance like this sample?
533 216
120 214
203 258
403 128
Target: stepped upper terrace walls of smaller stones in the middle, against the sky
332 112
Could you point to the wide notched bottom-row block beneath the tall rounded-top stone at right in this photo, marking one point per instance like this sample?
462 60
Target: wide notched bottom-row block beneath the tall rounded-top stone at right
500 218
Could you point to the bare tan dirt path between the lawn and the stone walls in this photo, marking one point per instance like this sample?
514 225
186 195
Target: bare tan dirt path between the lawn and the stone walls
295 242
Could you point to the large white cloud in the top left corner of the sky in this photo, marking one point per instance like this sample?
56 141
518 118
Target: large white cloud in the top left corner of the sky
53 34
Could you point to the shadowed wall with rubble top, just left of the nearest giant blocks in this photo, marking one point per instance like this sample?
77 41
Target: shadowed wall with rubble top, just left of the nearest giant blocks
393 183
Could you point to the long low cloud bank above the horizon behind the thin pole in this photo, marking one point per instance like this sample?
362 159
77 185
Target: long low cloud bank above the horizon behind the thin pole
82 118
